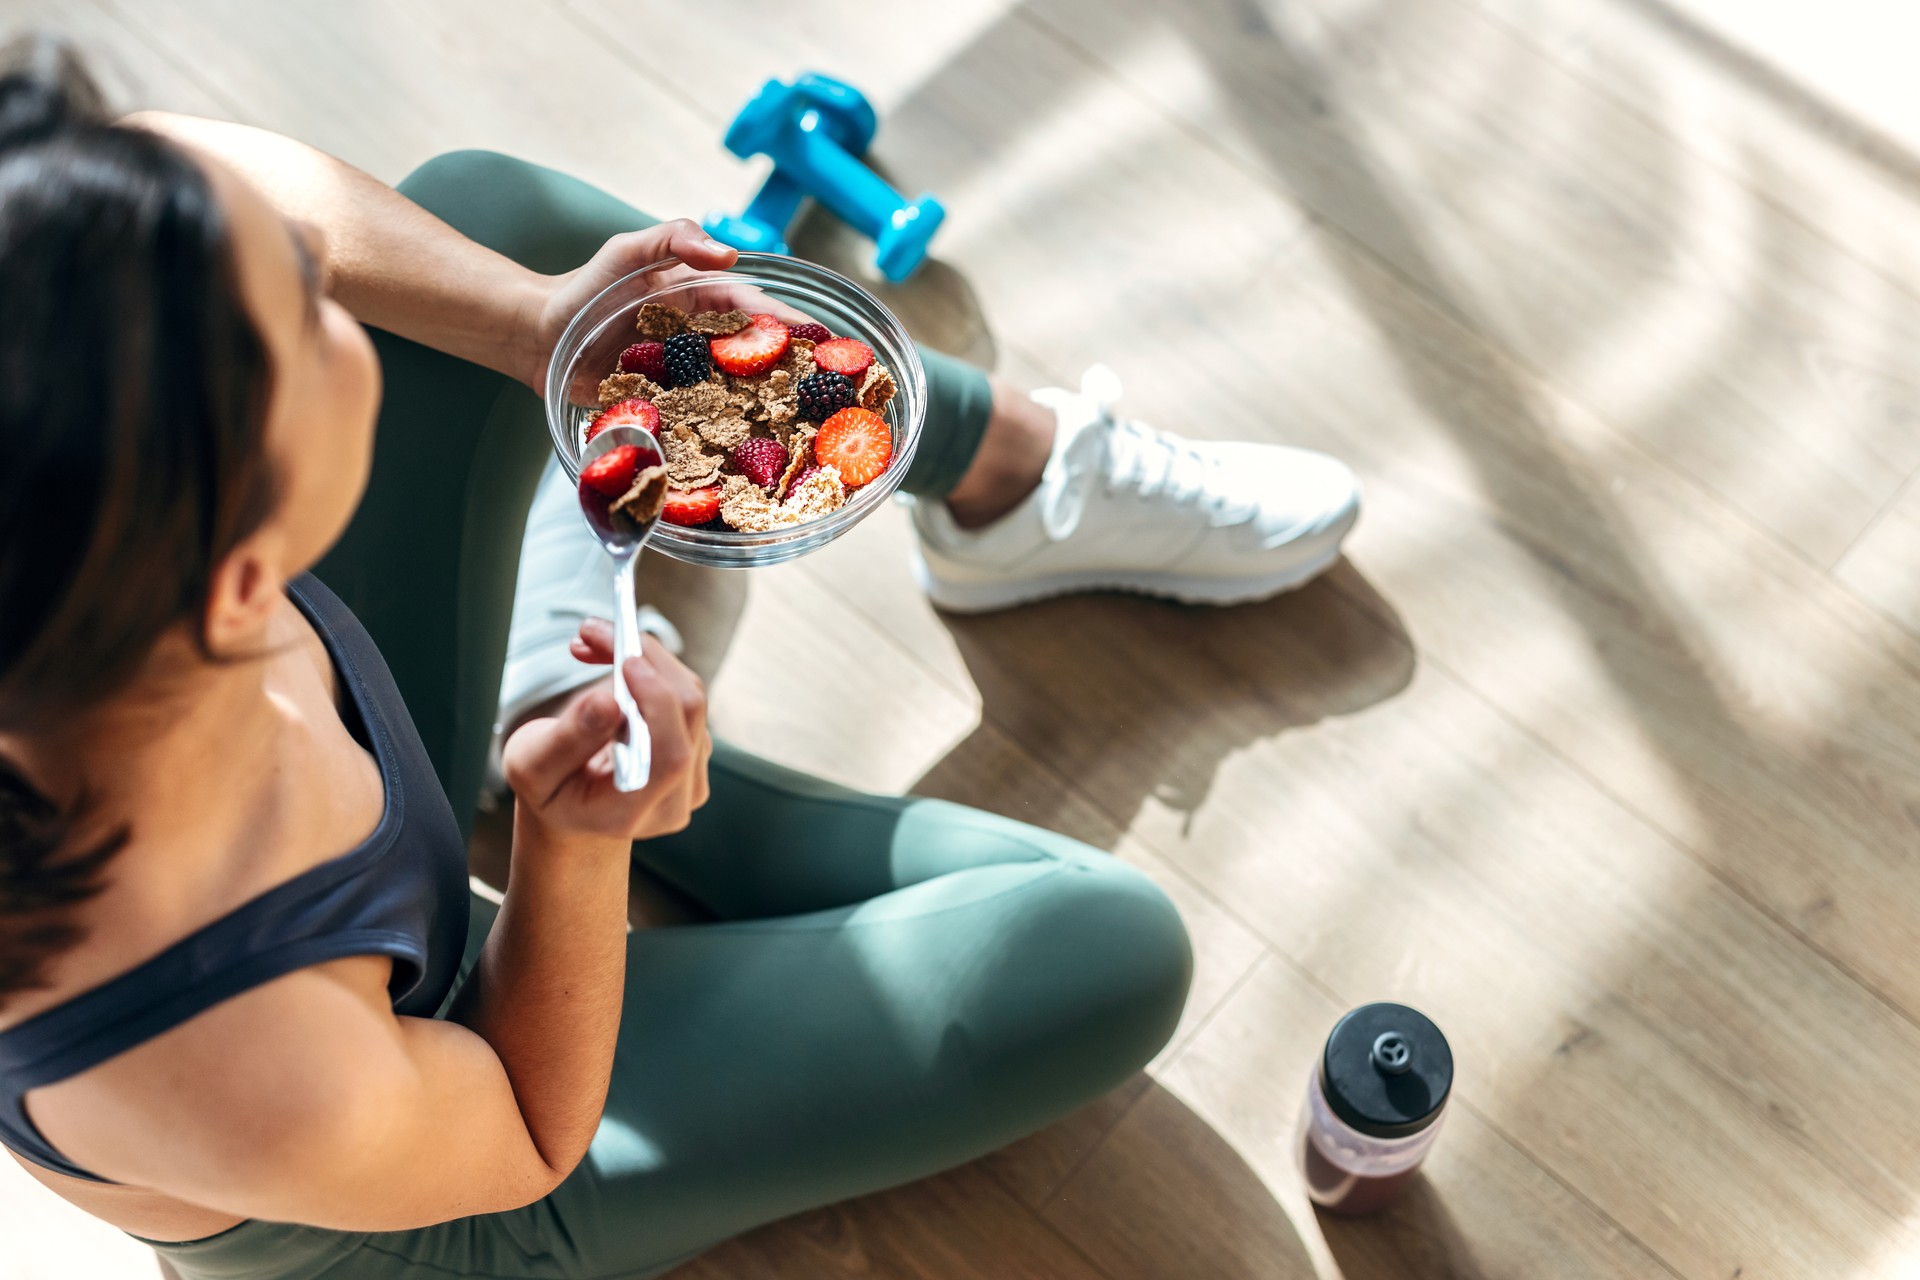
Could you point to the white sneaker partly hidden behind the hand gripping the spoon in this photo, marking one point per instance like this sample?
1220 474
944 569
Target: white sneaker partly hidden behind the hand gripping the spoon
565 579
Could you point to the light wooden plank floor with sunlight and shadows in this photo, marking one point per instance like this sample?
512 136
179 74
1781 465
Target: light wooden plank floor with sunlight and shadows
1604 747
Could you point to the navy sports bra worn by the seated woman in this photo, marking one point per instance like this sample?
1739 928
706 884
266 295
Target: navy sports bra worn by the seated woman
402 893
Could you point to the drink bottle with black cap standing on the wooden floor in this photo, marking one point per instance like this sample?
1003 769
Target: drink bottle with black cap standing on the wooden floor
1374 1108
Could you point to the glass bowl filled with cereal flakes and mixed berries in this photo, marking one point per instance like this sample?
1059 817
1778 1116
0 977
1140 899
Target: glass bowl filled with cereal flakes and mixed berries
788 402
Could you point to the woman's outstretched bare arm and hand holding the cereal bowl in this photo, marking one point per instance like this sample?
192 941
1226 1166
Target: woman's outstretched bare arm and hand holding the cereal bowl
398 268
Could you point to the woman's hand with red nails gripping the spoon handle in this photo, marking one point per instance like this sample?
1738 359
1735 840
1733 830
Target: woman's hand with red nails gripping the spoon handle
562 767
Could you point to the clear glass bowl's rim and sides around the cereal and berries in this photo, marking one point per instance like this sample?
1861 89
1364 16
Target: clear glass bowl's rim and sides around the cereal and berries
788 287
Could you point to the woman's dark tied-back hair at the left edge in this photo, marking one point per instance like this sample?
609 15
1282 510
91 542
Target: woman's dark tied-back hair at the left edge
133 392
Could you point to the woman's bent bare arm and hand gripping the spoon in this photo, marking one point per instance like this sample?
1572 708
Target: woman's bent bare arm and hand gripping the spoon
308 1102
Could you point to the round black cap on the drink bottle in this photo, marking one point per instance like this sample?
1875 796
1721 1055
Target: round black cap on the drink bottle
1387 1070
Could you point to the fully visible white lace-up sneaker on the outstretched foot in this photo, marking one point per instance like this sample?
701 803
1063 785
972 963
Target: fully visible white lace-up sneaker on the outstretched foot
1124 508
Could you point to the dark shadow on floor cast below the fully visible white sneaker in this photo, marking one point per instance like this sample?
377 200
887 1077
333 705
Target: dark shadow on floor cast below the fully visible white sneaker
1130 699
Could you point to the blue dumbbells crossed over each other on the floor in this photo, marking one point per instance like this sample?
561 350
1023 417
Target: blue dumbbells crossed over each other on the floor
815 131
